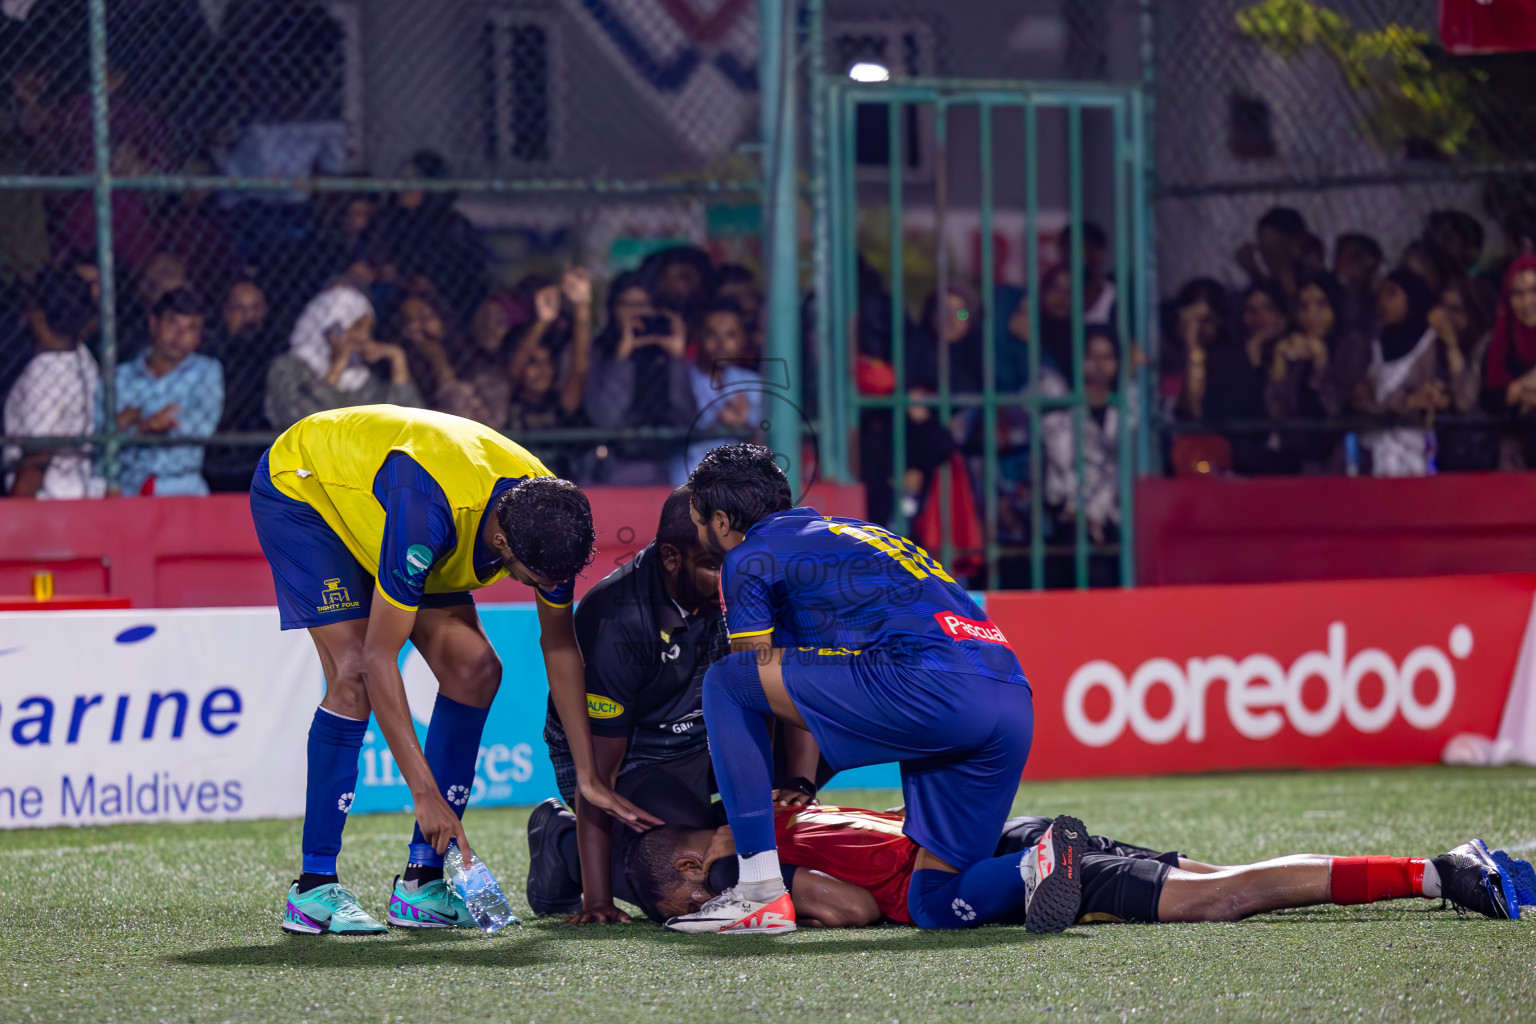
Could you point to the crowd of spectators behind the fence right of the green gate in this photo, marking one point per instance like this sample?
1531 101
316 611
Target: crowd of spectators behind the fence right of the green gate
1356 365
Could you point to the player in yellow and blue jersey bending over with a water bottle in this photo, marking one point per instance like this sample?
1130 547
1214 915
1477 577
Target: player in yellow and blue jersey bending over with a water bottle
377 523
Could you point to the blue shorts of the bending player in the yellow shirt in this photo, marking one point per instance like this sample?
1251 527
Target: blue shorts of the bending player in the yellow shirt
317 578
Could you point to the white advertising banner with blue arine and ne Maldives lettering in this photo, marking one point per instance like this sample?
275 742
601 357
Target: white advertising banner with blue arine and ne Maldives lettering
153 716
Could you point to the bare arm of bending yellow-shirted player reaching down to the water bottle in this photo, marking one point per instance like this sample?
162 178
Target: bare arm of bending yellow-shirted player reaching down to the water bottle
389 629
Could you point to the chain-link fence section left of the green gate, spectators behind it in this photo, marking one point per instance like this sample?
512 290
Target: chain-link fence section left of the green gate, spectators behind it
329 203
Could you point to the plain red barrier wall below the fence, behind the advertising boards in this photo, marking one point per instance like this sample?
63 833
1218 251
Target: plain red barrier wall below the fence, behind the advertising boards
202 552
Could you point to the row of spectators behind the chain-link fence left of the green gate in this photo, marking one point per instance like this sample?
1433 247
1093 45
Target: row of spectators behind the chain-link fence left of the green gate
675 348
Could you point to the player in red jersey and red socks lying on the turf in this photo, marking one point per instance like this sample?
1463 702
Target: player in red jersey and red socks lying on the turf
849 868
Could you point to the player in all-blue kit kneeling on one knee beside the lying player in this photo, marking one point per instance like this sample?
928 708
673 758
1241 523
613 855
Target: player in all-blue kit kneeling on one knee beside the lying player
859 636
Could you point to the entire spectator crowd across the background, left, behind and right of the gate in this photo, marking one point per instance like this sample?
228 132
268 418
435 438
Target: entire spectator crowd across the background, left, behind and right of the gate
239 312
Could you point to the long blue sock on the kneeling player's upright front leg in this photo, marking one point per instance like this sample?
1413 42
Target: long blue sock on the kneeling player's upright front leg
737 715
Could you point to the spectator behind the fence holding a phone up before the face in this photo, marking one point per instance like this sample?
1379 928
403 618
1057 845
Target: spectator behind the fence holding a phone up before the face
640 378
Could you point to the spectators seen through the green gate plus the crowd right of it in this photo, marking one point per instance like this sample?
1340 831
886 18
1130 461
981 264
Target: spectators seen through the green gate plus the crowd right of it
1314 365
